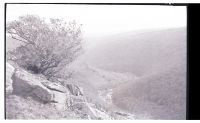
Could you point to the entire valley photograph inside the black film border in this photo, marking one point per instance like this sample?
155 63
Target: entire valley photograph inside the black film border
95 62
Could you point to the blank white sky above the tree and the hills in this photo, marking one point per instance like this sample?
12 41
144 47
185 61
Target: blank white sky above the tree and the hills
106 19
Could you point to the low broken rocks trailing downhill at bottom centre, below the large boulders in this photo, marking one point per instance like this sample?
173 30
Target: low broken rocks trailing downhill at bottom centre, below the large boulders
87 110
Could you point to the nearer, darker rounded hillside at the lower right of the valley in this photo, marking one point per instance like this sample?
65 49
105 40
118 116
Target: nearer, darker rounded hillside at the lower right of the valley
161 96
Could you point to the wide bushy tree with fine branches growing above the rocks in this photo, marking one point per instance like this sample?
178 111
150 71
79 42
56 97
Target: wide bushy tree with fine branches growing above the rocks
46 47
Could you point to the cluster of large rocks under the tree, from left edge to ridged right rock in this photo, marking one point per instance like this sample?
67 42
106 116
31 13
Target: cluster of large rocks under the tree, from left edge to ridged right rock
28 85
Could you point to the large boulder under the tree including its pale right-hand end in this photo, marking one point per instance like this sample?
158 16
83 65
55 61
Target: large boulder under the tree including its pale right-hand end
40 89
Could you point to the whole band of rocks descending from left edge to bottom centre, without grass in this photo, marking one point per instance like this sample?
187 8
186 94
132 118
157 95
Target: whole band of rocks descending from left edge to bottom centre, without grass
65 98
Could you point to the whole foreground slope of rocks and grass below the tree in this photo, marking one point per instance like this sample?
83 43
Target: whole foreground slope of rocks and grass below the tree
31 91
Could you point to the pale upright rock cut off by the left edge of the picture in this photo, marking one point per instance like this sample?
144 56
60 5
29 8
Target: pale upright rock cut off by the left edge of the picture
9 73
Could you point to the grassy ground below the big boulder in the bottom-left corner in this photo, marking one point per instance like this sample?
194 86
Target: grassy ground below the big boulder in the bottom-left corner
26 108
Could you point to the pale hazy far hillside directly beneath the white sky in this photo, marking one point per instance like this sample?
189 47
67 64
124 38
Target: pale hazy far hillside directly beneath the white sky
140 53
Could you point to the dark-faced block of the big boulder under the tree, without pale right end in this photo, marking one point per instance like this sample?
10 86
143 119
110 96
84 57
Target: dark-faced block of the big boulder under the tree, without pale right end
26 84
